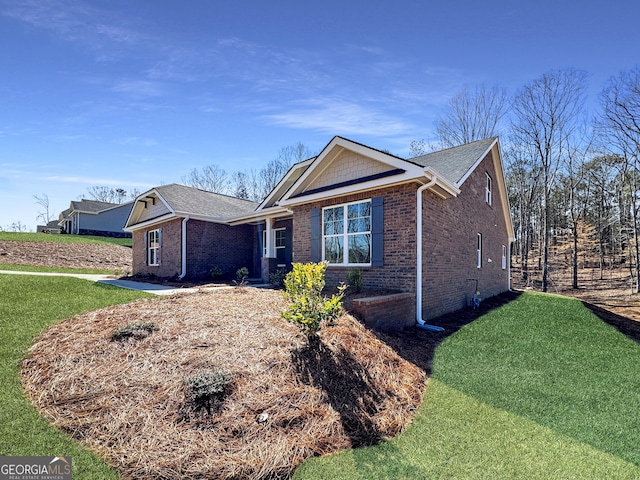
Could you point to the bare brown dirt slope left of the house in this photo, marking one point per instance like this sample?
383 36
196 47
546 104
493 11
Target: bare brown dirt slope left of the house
69 255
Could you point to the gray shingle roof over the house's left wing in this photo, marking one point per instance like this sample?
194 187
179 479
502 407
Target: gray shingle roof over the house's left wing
192 201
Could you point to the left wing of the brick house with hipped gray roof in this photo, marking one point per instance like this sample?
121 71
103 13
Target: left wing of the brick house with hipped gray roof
180 232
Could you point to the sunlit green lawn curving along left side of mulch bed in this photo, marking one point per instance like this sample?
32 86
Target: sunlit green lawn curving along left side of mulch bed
28 304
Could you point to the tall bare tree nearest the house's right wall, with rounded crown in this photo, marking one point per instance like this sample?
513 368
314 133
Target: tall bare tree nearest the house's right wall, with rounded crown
546 113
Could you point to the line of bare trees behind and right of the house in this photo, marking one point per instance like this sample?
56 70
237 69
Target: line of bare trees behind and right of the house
573 176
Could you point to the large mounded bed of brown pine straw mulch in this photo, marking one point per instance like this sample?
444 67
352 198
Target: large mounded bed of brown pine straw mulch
126 401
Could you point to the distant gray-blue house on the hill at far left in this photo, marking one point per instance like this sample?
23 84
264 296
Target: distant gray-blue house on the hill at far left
91 217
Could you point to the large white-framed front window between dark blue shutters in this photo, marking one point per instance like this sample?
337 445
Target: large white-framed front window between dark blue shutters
347 233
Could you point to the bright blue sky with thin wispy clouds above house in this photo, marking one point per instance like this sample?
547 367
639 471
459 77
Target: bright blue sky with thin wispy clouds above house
134 94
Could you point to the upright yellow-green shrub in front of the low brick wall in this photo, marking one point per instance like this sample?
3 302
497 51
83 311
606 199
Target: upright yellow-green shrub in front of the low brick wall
309 308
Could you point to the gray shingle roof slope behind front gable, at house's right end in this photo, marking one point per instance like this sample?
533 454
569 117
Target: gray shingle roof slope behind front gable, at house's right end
454 163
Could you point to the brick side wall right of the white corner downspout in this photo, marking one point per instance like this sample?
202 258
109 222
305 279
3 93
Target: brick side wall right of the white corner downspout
450 229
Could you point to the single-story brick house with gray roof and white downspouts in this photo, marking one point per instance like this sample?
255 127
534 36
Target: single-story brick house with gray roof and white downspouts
358 207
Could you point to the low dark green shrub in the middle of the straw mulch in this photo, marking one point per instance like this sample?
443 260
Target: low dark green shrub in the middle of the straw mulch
207 387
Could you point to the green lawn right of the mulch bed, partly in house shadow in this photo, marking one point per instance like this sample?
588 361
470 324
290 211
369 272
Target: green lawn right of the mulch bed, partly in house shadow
538 389
